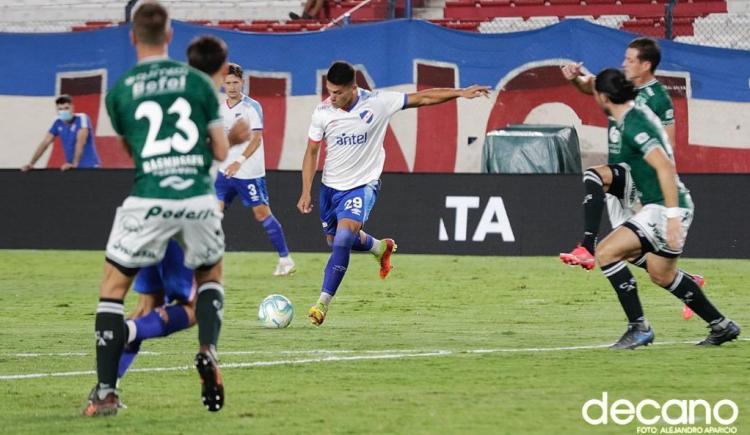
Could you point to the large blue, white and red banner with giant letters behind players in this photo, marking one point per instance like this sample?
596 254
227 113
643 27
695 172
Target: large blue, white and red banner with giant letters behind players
709 87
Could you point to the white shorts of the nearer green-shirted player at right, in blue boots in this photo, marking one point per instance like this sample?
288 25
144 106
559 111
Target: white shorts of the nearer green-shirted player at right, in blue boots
650 225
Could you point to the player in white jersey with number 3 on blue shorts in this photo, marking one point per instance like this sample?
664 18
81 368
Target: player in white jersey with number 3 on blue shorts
243 173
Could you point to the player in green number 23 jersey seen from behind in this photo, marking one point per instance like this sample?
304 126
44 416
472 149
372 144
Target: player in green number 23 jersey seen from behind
166 114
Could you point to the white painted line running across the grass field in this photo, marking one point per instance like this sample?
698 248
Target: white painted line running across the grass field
368 355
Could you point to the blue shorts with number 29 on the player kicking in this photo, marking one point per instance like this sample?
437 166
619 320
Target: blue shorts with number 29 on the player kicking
354 204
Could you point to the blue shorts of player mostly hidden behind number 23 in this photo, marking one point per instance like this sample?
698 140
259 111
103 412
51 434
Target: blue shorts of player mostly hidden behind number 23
170 276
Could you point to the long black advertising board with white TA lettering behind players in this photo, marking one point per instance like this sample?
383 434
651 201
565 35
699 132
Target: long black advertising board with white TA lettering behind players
426 213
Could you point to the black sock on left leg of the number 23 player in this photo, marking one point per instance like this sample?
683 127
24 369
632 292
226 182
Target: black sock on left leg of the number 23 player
111 334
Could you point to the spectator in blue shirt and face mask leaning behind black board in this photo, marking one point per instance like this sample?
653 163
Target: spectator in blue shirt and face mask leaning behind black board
76 137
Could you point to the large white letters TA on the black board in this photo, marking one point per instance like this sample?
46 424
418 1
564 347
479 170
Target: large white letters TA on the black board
494 219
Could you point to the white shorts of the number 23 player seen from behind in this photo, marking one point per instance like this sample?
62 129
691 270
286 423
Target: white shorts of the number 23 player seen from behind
143 226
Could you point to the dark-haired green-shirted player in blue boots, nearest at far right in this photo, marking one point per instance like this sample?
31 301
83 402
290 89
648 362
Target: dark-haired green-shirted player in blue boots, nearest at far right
660 226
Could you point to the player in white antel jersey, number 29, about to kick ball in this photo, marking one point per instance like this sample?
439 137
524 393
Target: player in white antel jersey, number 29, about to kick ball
353 122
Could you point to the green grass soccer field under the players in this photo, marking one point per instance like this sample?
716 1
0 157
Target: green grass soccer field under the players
445 345
